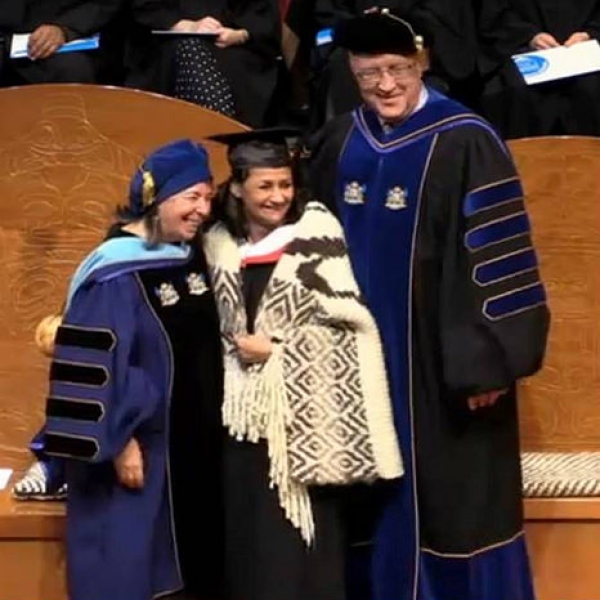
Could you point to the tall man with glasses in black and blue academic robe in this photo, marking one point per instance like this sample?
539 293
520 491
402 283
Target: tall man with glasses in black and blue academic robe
440 242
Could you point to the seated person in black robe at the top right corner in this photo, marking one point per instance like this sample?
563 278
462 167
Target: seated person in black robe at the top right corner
566 106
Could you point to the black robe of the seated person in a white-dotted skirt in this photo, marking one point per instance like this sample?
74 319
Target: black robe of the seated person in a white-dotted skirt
251 68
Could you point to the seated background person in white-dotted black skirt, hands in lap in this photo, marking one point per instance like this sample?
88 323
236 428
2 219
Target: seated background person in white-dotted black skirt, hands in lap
233 72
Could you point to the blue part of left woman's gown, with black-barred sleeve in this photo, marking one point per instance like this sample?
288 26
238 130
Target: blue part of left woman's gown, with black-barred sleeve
120 542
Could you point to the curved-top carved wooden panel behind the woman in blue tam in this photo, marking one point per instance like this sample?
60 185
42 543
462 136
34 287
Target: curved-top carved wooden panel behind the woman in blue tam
66 155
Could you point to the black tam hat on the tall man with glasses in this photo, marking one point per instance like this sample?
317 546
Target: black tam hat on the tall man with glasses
378 31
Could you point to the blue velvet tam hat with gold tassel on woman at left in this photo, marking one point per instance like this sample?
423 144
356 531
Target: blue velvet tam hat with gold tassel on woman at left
169 170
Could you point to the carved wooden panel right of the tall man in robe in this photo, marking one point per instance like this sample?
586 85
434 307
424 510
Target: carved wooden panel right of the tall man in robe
560 407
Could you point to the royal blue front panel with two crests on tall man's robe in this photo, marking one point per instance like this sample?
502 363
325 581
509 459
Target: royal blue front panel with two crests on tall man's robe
378 205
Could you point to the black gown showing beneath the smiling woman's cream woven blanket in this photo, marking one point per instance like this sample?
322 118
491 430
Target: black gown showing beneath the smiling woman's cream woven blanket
266 557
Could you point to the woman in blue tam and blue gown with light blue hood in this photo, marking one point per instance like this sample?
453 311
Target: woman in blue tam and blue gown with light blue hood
135 391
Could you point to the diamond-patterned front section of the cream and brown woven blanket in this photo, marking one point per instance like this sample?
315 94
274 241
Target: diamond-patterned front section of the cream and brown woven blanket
326 418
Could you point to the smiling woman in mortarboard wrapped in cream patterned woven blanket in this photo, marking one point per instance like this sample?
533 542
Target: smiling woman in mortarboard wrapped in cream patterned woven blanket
306 401
